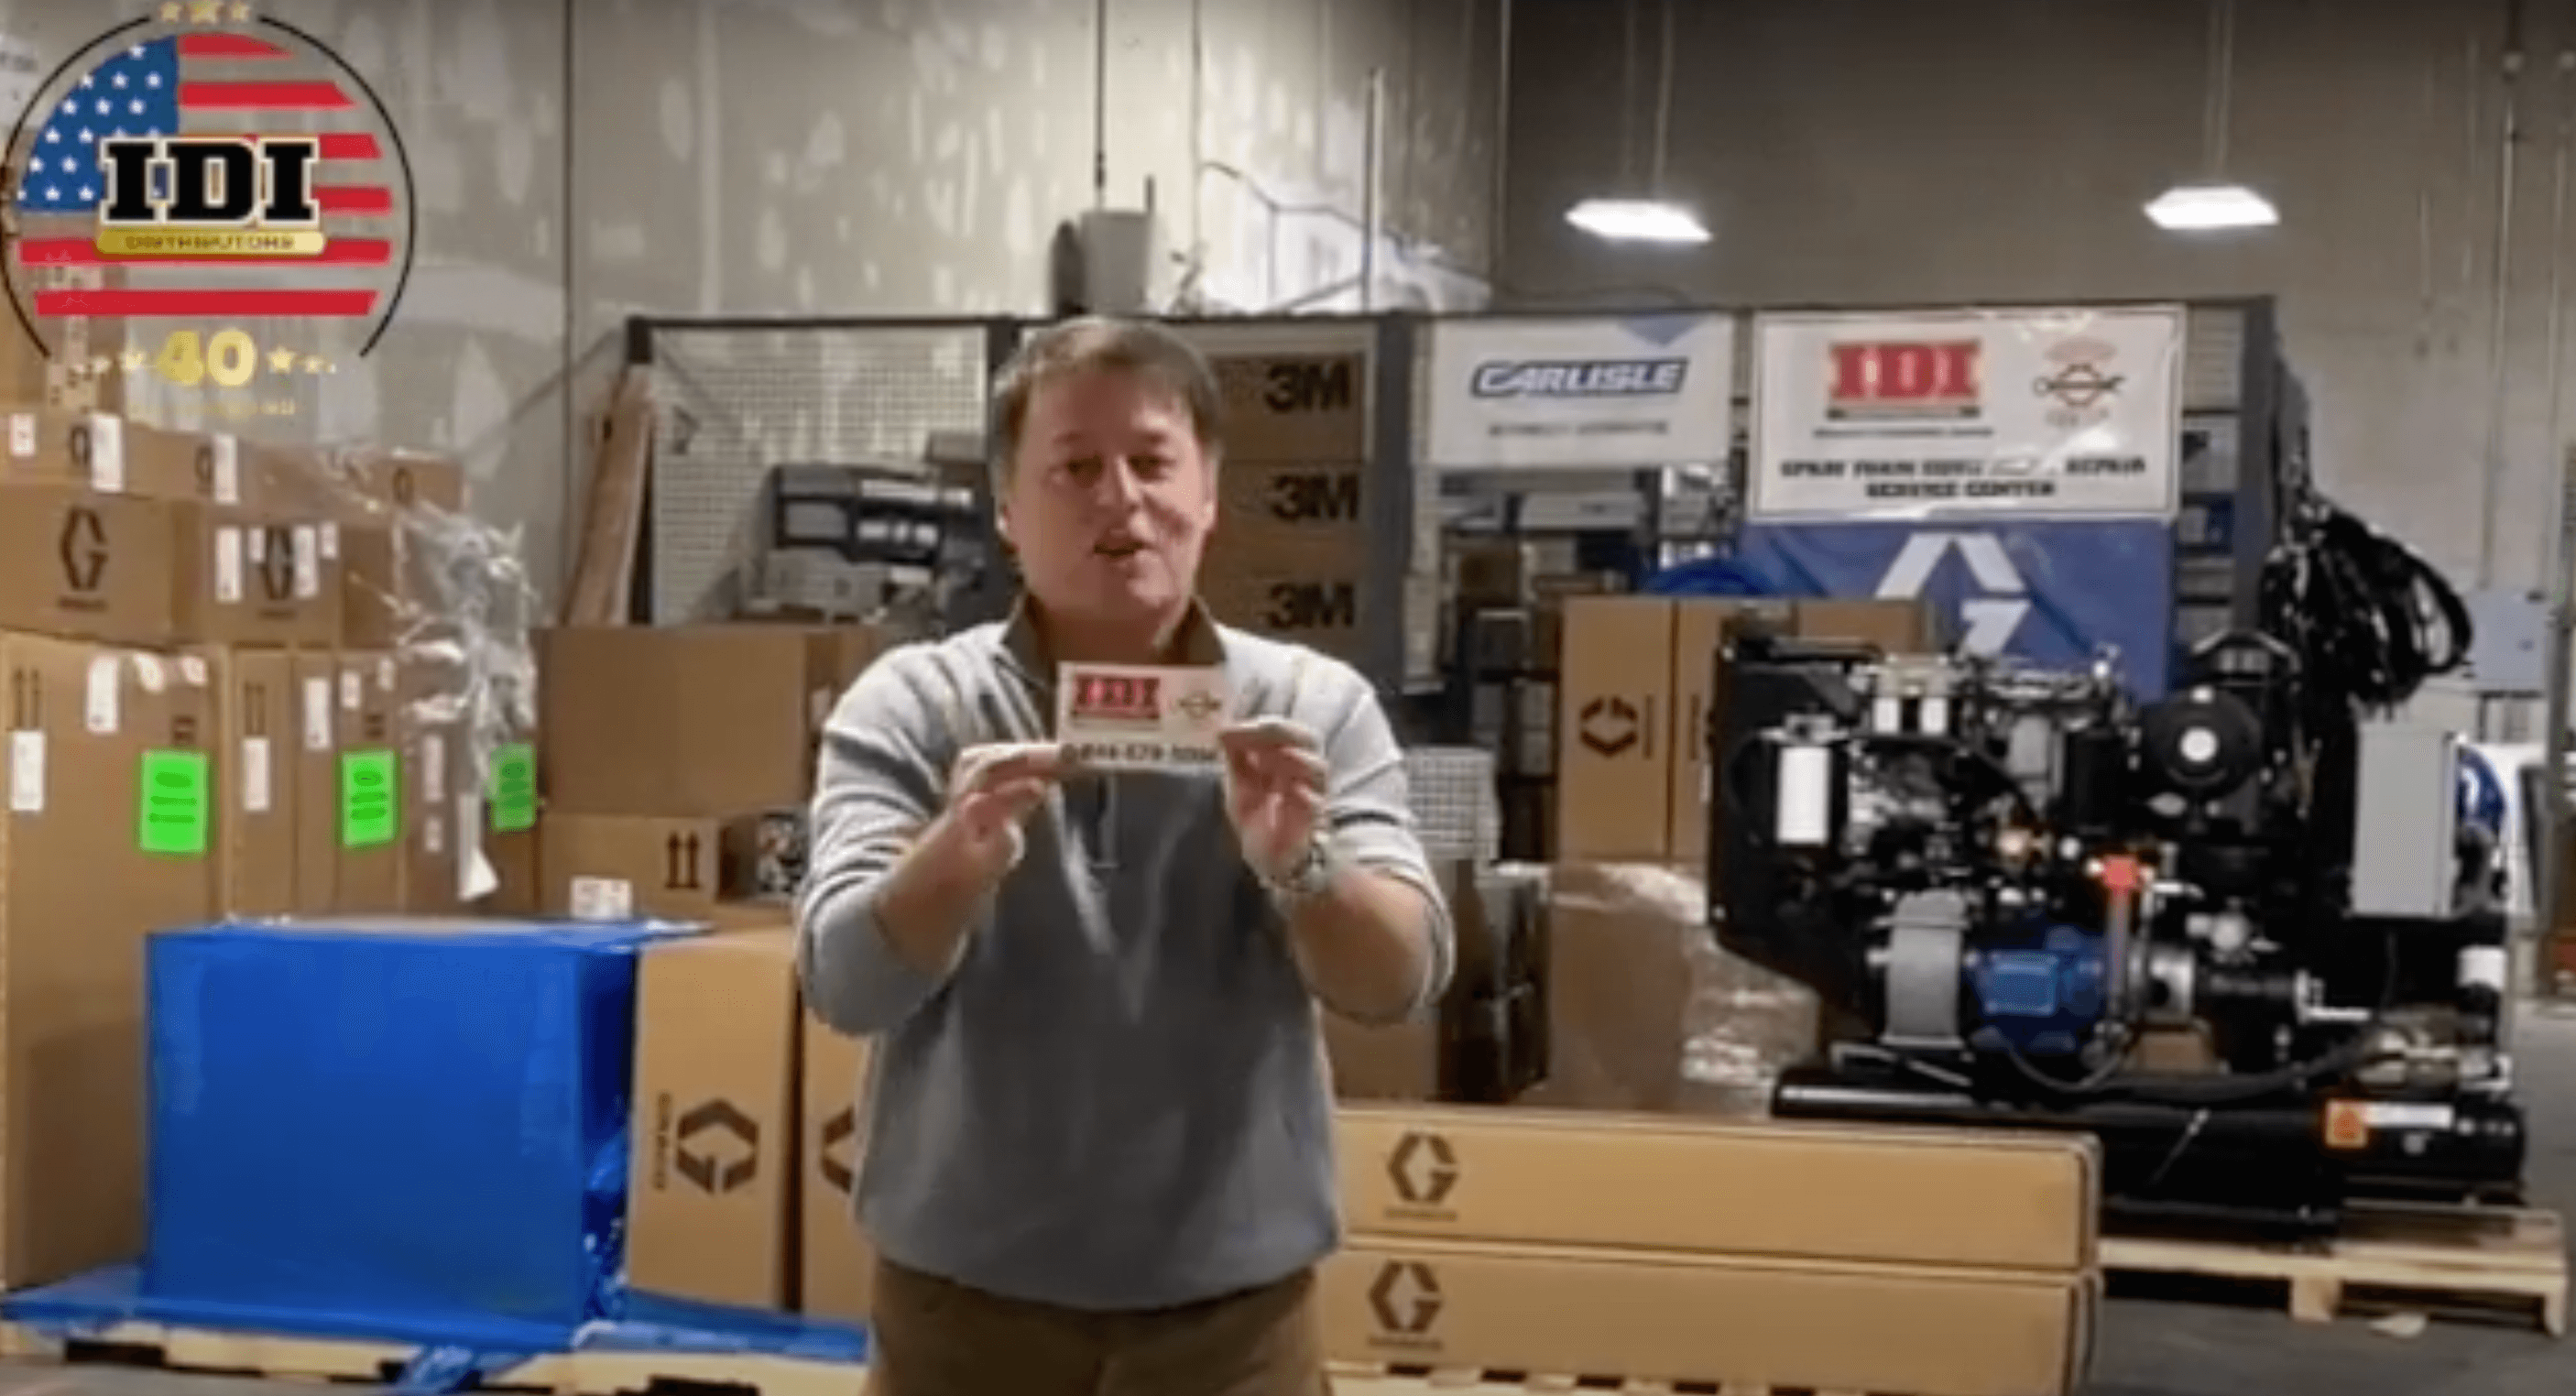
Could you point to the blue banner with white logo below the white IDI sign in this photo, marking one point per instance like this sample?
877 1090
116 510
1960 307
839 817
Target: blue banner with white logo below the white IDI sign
2052 594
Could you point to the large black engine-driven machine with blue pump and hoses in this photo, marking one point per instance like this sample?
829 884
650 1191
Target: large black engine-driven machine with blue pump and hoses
2245 934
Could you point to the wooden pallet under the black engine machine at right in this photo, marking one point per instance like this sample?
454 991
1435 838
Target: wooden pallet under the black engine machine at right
2438 1261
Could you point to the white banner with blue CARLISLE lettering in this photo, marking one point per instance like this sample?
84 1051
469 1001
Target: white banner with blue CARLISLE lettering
1578 393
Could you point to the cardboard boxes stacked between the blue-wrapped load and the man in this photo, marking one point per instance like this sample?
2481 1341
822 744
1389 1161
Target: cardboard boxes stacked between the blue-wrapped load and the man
676 774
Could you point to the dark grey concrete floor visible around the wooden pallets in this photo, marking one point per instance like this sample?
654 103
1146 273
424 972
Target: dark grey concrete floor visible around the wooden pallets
2150 1348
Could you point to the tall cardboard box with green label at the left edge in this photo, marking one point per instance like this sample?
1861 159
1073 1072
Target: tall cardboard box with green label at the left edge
107 836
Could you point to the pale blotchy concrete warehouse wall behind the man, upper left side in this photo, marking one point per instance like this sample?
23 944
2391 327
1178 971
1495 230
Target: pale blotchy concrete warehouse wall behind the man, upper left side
581 161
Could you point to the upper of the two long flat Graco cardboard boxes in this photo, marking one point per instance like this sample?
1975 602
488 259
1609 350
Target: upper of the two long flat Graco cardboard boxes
1977 1199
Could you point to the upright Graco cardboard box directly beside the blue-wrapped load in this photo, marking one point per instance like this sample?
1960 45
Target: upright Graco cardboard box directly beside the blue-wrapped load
715 1122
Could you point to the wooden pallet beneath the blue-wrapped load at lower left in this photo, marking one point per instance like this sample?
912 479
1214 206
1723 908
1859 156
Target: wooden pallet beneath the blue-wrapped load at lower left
377 1364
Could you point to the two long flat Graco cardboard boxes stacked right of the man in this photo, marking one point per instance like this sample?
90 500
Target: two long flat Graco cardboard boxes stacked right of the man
1717 1256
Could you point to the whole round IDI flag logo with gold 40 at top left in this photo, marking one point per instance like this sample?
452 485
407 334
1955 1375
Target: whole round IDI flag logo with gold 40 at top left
205 169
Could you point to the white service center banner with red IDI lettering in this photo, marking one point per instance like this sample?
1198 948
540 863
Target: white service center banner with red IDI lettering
1977 413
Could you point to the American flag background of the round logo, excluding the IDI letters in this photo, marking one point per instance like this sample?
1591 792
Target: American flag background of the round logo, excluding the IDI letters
254 81
